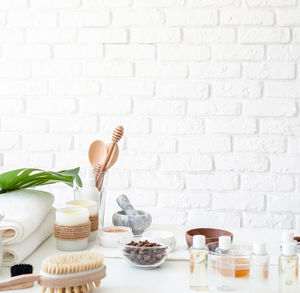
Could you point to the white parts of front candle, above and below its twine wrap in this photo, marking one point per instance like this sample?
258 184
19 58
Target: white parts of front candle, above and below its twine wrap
72 216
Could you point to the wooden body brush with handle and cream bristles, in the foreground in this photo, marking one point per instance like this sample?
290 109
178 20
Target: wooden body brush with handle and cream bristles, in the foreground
75 272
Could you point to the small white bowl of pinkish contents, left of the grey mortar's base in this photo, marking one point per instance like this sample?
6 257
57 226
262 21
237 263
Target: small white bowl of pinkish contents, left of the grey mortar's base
110 236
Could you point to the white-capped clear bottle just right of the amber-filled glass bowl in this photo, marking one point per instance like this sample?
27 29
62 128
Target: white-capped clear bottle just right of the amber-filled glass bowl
259 270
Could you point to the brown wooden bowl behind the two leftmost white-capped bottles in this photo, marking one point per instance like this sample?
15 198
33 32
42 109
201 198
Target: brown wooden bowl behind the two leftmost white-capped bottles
211 235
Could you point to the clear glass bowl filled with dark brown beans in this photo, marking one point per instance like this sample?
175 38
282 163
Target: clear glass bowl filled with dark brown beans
144 254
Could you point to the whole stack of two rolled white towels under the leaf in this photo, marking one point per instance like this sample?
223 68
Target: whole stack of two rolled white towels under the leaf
28 221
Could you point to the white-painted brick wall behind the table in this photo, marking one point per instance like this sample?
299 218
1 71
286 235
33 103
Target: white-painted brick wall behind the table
208 92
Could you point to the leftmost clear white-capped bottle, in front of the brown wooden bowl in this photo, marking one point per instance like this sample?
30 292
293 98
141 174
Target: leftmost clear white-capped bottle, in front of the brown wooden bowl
198 264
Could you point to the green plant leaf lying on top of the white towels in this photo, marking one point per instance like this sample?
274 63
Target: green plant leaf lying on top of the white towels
30 177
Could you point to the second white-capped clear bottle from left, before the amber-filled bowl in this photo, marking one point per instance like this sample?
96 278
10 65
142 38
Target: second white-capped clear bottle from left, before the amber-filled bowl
225 265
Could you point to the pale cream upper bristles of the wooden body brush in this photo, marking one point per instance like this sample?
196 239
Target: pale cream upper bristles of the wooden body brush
72 263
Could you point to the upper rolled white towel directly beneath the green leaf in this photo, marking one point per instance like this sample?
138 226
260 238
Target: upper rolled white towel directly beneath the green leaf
24 210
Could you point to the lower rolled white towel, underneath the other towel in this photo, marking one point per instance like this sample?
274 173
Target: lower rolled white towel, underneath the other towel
16 253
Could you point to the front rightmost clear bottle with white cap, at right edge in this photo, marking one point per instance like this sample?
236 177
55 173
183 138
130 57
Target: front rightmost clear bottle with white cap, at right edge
288 269
